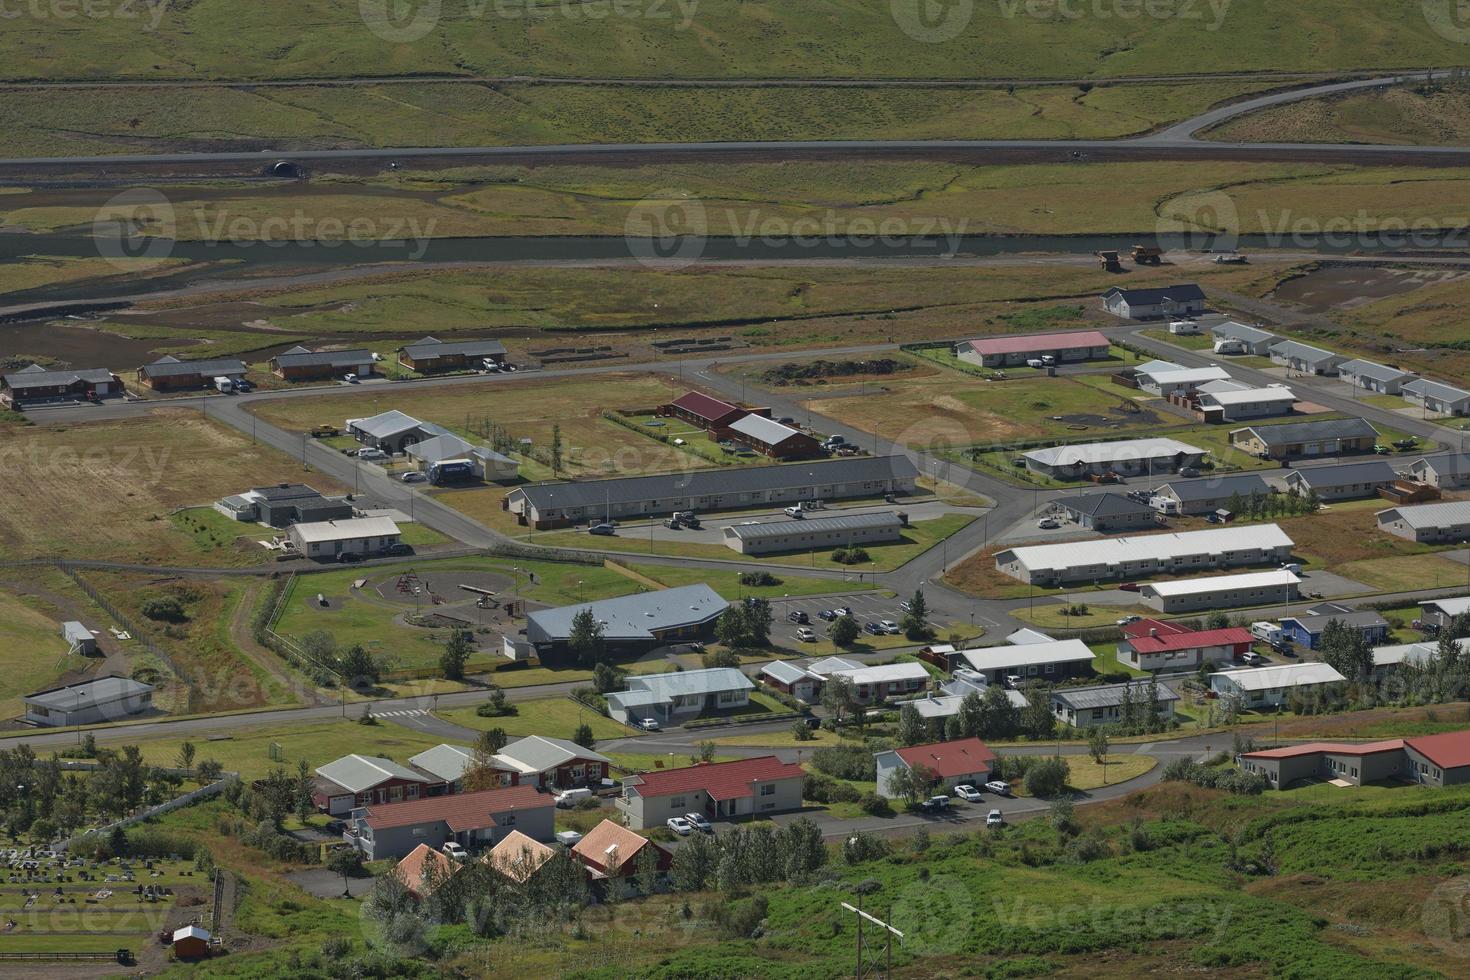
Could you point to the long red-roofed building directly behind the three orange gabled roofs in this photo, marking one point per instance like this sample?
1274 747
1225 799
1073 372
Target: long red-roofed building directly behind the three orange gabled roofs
476 821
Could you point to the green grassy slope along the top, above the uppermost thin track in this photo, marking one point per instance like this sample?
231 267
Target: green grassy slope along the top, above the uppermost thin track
727 39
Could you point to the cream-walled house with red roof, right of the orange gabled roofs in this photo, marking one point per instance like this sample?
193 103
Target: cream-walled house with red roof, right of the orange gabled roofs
749 787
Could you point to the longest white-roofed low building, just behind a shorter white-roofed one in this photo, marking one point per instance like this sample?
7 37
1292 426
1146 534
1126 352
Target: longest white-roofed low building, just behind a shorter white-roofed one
1144 556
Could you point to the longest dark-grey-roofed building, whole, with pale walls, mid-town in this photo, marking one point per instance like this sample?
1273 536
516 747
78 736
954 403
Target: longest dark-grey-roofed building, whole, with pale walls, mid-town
733 489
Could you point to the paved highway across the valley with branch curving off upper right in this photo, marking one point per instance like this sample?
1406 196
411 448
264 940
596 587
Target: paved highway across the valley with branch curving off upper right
1177 139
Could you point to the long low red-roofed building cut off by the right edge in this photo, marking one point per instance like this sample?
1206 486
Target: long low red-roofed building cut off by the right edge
1433 760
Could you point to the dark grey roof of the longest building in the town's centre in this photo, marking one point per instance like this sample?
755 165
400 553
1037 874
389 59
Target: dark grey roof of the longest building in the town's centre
724 483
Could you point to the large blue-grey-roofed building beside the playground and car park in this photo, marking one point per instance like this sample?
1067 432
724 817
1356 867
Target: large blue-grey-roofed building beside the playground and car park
633 624
